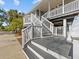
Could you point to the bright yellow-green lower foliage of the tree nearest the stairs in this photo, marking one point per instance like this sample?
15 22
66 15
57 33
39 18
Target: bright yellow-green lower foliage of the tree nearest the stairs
15 24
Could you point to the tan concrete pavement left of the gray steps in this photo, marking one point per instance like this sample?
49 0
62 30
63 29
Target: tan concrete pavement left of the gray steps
10 47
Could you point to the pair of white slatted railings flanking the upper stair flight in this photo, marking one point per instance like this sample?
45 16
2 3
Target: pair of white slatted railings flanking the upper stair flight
44 23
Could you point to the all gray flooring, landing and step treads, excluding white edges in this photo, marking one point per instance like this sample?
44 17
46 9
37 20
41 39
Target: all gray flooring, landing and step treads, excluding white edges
56 44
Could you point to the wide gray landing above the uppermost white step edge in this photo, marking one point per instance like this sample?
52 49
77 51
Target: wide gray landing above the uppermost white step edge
58 46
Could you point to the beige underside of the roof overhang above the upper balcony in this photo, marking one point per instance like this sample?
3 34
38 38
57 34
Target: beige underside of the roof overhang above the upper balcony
43 4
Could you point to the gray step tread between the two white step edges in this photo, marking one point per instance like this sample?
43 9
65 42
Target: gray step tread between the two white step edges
42 53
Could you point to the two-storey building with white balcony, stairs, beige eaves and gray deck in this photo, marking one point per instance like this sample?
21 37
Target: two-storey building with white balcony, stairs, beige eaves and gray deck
53 20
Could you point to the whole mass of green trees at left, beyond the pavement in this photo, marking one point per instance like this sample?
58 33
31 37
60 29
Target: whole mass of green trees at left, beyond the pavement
14 20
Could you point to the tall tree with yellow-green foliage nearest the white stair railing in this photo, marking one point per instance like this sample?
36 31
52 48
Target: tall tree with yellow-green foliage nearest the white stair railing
15 21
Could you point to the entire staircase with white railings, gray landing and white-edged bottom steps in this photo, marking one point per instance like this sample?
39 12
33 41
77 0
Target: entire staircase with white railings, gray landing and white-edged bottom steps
39 42
